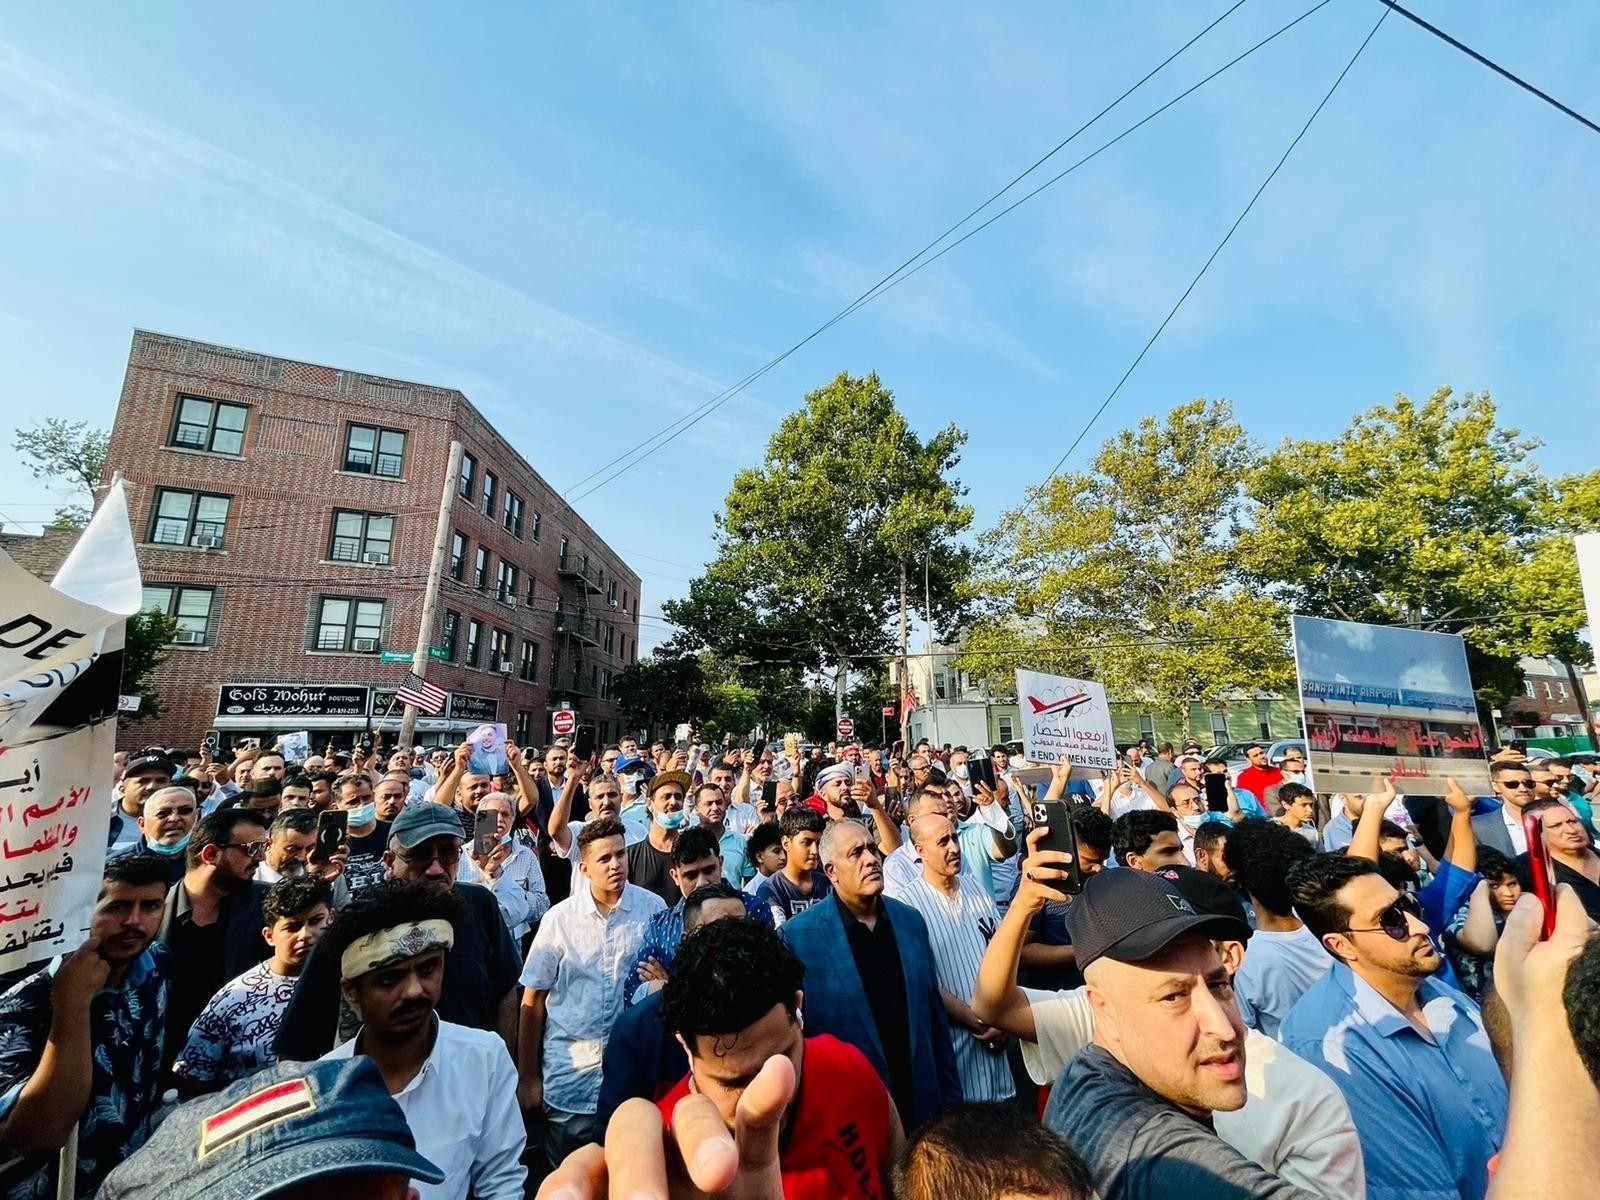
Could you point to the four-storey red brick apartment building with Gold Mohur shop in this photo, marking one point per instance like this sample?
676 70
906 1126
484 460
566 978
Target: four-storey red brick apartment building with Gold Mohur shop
286 516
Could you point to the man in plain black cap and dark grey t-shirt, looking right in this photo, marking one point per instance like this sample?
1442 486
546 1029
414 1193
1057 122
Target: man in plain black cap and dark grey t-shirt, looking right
1169 1047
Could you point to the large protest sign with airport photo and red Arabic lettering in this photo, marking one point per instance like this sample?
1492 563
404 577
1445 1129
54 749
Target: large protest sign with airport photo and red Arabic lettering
1388 702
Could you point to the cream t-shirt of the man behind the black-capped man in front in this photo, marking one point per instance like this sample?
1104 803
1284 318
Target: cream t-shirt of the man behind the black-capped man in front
1295 1121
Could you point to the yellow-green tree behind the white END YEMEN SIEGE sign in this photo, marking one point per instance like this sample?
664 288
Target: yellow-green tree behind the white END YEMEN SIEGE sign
1129 572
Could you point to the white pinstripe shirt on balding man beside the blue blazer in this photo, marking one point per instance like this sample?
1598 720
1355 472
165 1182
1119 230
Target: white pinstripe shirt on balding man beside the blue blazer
959 932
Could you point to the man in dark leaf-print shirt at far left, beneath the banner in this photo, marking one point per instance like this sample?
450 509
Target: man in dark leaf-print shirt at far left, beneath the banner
81 1039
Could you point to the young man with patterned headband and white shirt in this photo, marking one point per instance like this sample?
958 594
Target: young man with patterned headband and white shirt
457 1086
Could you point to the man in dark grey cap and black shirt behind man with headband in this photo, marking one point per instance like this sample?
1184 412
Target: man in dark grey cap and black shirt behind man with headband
481 969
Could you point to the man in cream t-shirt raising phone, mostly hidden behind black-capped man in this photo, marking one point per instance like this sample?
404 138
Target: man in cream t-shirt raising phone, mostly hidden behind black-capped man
1295 1122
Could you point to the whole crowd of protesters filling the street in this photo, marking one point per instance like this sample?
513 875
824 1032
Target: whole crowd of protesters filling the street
814 972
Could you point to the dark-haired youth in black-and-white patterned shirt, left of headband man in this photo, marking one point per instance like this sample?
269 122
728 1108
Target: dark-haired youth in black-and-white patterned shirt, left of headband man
233 1036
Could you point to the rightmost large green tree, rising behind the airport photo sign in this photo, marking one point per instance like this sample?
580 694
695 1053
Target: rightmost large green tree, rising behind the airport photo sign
1431 516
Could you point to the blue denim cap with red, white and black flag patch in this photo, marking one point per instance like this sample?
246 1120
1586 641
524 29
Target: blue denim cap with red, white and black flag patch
271 1132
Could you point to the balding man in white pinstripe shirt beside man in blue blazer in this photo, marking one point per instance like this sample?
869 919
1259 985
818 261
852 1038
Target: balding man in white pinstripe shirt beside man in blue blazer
962 918
